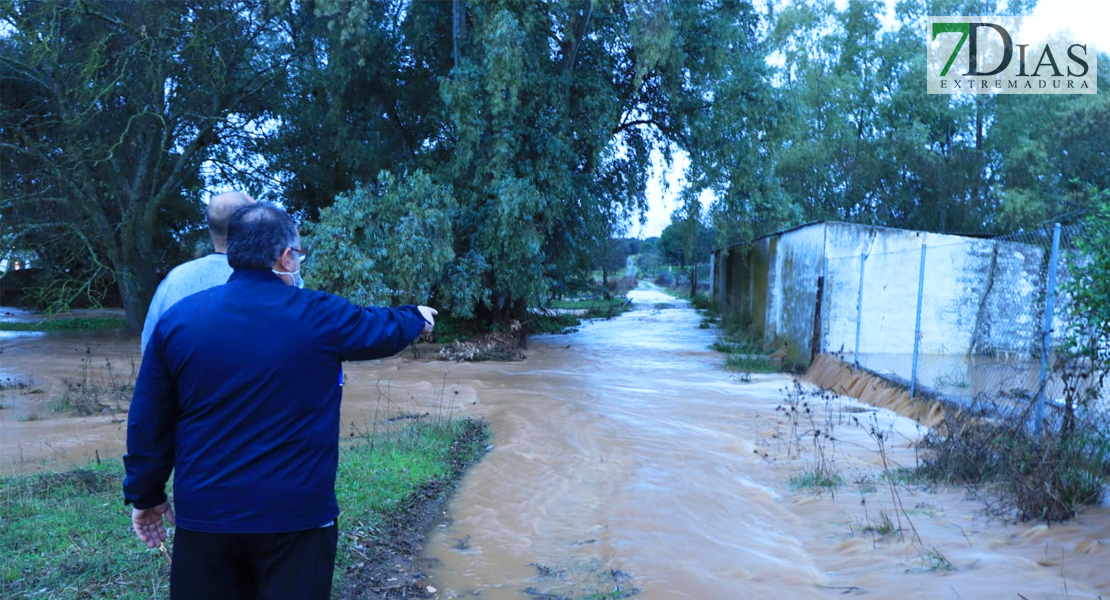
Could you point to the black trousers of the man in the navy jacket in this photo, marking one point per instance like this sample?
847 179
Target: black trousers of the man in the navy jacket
297 565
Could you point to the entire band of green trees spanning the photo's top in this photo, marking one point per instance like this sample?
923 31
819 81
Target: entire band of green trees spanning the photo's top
533 127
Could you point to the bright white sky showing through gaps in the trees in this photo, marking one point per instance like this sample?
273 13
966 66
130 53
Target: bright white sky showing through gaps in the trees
1087 21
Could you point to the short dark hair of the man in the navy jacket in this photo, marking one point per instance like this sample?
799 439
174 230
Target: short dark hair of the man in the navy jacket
258 235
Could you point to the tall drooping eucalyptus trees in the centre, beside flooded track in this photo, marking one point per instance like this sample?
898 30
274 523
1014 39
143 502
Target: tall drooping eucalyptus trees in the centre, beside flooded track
539 119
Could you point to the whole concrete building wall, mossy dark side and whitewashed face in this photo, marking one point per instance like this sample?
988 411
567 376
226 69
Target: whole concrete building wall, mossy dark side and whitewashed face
980 297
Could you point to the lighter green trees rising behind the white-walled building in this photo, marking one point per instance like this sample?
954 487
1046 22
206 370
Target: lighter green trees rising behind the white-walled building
864 144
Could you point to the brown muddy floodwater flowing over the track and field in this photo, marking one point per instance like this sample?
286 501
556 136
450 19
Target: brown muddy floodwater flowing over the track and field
624 455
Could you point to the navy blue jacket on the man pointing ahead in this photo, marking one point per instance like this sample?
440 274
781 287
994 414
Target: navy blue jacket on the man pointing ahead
239 395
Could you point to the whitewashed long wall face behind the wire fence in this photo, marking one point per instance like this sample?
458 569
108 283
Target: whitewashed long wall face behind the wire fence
978 294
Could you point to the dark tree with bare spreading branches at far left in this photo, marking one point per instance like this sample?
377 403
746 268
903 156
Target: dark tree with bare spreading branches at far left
110 109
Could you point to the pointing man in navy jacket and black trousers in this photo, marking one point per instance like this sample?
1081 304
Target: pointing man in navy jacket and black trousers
239 396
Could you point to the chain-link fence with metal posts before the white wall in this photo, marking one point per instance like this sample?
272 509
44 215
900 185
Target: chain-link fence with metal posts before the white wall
978 320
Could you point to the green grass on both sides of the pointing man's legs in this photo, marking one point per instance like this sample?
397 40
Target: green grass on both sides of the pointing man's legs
68 535
